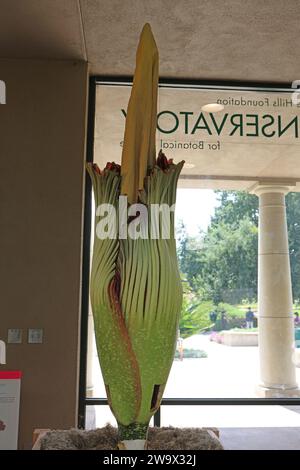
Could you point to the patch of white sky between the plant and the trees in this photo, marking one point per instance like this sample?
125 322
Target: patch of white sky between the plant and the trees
195 208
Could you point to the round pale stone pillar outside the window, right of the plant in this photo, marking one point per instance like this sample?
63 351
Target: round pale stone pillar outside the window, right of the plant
275 304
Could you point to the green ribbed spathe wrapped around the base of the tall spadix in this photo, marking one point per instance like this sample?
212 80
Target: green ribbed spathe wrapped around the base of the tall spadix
136 298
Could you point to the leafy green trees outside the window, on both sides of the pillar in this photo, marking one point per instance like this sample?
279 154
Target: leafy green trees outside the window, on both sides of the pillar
221 264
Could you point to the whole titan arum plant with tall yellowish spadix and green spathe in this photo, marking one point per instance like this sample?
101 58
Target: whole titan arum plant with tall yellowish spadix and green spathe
136 292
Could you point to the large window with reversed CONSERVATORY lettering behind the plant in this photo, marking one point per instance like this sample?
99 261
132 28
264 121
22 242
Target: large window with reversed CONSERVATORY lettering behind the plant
238 338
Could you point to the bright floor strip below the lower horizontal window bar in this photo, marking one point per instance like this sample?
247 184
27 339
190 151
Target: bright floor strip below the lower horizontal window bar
241 427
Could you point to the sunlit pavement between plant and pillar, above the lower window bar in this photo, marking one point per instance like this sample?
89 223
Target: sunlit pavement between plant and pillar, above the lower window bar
227 372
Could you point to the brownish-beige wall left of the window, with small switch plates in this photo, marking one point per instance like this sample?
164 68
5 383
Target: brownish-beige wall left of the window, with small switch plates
42 145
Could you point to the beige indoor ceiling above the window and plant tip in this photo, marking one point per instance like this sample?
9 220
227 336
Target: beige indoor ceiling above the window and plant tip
199 39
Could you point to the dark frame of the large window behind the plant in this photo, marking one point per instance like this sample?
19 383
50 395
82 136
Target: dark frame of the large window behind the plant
84 401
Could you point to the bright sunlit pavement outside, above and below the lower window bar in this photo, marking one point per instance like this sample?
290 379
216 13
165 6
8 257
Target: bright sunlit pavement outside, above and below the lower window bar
230 372
